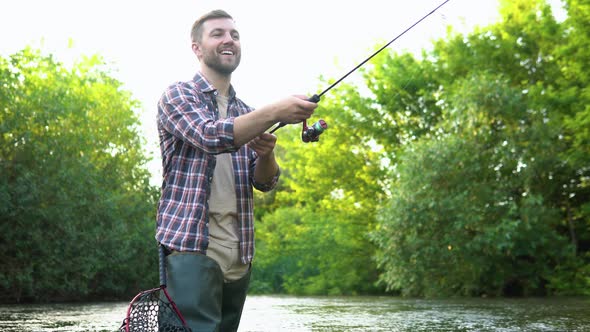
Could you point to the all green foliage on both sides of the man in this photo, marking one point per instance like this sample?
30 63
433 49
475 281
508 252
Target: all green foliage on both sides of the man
460 172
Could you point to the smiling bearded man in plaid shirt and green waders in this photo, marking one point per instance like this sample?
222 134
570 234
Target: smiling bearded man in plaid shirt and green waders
215 149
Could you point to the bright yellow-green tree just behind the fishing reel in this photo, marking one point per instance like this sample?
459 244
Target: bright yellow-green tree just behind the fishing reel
315 240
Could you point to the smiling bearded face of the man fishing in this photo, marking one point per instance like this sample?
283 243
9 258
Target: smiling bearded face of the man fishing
219 48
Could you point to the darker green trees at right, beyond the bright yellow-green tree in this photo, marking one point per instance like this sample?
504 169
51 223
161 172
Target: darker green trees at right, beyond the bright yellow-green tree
484 202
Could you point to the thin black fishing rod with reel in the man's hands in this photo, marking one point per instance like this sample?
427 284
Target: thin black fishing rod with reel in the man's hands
313 132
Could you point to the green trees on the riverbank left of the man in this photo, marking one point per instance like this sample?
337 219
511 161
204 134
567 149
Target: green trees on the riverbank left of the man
75 203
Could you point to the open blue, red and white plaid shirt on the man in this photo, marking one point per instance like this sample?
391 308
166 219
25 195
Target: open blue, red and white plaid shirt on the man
191 134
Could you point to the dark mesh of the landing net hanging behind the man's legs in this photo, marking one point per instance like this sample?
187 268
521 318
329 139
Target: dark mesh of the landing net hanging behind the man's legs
150 311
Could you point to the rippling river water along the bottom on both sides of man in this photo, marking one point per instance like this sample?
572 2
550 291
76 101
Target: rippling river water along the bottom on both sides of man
301 314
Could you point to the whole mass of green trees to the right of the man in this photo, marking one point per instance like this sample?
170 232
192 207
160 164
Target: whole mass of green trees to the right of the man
479 145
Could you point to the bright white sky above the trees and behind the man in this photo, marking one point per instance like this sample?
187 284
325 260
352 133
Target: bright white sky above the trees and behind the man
286 45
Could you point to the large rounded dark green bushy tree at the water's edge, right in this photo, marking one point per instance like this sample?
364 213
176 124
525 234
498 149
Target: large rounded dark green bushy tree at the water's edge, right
467 216
